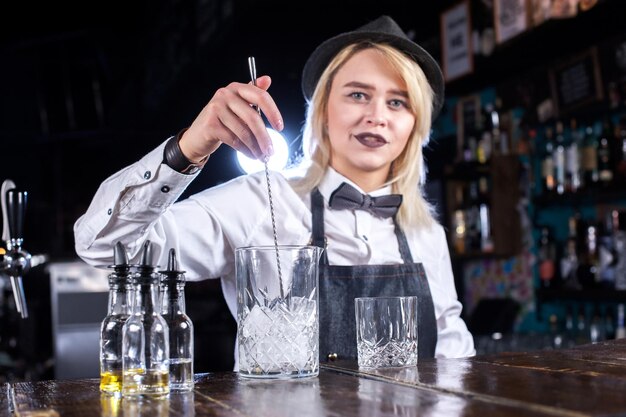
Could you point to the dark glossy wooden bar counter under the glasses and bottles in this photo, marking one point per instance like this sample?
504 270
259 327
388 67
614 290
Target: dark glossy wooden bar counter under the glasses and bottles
588 380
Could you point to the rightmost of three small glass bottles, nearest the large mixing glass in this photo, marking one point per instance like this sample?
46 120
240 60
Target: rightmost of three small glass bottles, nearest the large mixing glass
172 296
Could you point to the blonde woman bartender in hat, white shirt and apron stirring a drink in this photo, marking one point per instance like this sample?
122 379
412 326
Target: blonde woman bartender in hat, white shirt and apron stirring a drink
372 94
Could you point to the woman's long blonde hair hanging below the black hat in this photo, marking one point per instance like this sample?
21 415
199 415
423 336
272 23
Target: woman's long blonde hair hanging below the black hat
408 173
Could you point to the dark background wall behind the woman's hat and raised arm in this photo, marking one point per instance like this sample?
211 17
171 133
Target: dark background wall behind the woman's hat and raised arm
87 88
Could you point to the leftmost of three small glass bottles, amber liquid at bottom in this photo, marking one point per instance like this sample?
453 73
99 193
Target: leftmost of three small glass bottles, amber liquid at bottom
120 302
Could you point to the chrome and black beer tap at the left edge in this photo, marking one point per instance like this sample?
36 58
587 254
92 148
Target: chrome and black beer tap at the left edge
15 262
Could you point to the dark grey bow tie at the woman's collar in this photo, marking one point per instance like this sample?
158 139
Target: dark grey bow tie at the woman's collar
348 197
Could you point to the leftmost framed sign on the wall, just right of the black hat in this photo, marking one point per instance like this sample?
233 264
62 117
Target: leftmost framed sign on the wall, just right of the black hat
456 41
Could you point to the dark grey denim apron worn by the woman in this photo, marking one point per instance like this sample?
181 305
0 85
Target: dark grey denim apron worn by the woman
339 285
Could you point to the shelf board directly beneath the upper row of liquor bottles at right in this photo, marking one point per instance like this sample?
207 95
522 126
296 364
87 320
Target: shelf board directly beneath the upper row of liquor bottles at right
597 195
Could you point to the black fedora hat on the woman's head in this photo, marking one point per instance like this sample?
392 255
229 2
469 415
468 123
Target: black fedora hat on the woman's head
383 30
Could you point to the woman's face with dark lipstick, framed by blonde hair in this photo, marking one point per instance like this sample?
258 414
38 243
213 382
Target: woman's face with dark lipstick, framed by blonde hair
368 118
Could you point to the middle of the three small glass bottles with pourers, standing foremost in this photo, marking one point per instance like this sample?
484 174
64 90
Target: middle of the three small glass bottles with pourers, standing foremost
146 336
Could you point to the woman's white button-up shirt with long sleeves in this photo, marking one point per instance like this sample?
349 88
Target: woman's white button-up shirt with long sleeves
137 204
